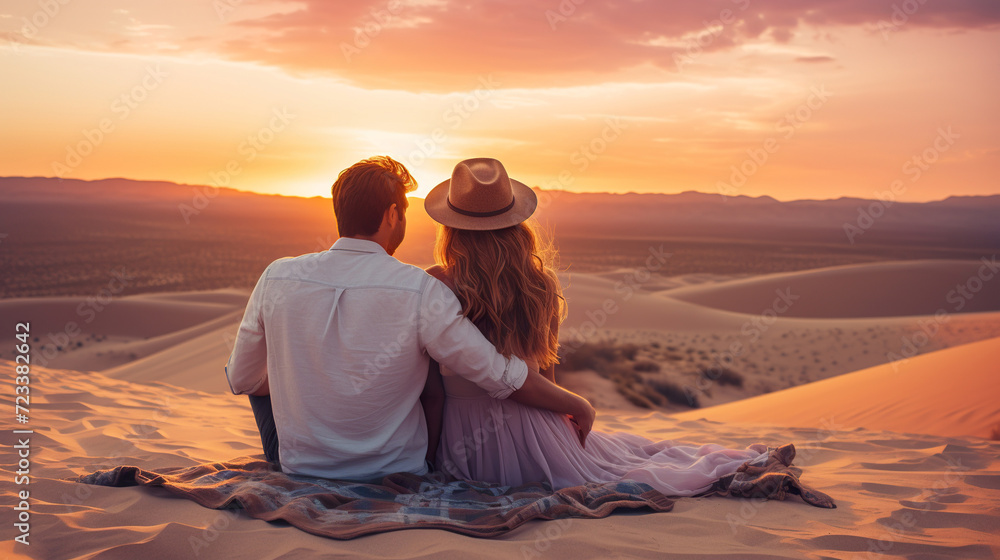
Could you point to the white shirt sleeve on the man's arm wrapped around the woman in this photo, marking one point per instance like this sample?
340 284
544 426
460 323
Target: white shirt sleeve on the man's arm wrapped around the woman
455 342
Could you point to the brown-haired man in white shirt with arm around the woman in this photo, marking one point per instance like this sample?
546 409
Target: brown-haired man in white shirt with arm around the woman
334 346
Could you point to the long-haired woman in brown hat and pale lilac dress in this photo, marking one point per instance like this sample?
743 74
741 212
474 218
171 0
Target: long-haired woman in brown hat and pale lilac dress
493 260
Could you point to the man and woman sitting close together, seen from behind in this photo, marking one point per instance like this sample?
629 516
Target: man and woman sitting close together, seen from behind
358 365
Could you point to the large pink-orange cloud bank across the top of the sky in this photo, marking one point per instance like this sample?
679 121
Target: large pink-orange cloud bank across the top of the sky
447 44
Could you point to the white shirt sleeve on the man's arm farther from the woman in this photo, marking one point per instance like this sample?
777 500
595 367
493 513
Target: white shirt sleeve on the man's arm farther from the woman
247 366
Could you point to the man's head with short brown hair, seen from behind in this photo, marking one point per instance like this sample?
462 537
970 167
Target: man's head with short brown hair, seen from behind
365 190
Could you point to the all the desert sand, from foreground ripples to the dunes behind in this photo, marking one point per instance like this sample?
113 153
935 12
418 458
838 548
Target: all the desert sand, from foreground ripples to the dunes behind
903 447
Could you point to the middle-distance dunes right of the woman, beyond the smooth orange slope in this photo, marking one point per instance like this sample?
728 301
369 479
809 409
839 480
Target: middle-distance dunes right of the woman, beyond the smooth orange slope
764 341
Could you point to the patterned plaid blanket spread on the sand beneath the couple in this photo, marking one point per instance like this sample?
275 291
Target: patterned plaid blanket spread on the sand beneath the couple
345 510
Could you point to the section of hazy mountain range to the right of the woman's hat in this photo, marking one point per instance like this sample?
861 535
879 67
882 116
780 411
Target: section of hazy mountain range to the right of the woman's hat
963 221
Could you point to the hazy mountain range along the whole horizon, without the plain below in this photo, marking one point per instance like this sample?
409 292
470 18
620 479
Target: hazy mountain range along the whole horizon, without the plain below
968 221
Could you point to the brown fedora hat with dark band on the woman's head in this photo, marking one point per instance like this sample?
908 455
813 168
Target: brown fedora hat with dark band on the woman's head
480 196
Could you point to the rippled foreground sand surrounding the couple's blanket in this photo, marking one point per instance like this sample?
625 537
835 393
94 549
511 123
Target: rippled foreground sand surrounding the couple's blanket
905 496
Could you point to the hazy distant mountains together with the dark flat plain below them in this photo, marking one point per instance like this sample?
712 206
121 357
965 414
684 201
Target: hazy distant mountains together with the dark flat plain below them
63 236
